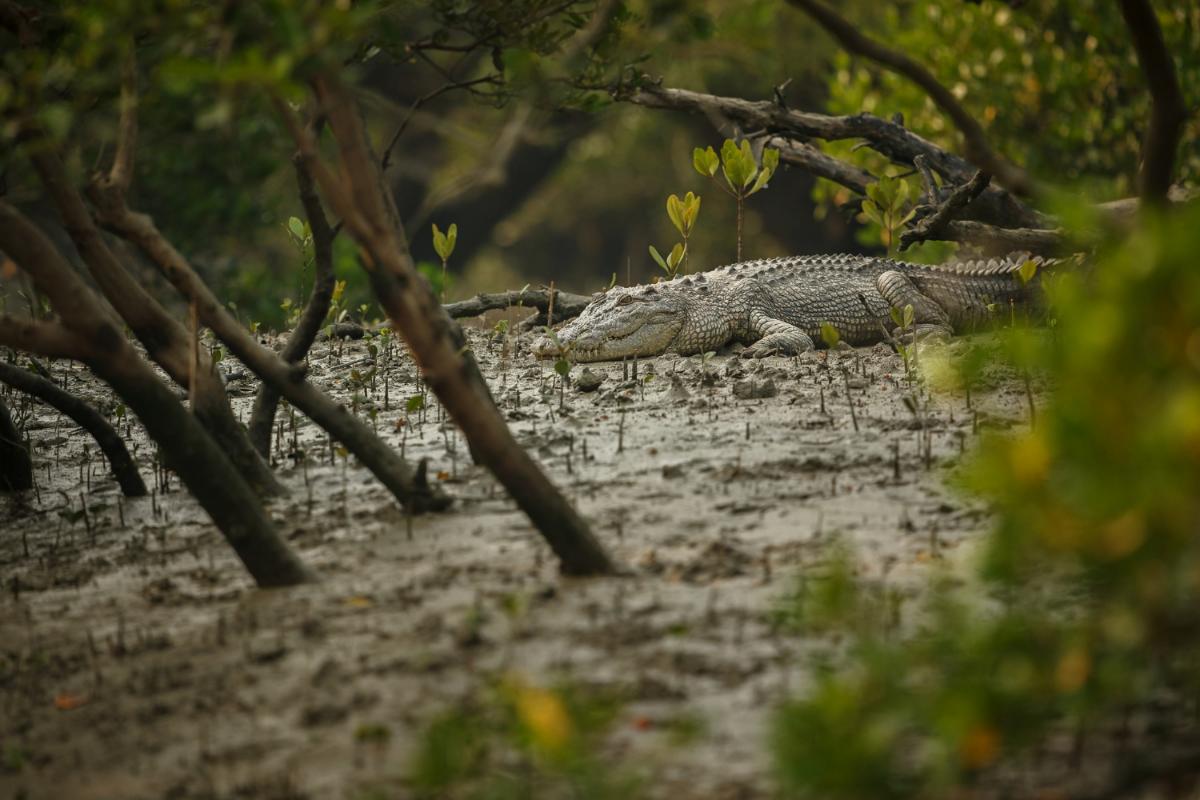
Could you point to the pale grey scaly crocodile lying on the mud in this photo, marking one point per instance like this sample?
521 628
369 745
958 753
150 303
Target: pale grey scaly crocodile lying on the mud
778 306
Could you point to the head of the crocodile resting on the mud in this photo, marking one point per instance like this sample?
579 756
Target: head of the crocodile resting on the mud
622 323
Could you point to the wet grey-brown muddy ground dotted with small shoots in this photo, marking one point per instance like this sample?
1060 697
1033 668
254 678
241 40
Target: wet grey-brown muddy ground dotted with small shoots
137 660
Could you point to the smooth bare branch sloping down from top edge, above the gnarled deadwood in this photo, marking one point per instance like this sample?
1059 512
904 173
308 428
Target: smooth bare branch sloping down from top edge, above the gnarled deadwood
979 151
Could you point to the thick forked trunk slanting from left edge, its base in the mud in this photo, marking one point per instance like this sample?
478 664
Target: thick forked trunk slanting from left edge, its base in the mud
92 335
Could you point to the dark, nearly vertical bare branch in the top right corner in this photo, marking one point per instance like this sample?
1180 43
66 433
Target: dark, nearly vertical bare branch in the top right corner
1168 113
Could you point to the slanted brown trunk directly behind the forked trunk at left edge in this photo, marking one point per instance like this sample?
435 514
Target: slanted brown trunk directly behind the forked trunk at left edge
166 340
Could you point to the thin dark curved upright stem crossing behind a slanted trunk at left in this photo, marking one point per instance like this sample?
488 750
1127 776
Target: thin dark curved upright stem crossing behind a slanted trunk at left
262 420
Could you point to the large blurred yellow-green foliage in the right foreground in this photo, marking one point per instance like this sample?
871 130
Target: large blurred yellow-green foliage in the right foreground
1094 564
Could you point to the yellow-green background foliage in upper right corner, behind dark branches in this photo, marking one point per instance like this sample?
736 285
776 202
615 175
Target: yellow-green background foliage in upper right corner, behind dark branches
1055 85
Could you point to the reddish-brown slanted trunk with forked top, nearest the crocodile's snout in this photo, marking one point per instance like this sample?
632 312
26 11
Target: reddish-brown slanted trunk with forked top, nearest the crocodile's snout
361 197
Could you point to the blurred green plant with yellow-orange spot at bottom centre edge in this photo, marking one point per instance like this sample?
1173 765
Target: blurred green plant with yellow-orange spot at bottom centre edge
520 741
